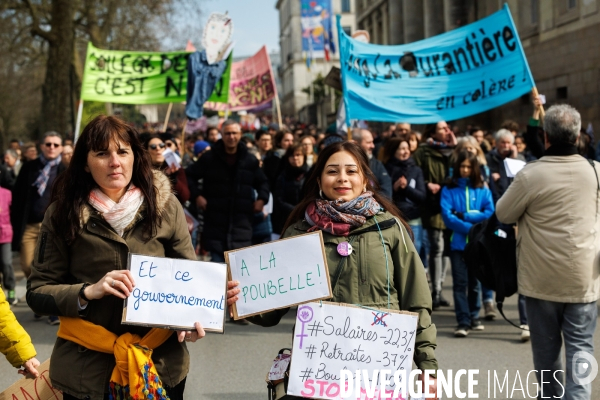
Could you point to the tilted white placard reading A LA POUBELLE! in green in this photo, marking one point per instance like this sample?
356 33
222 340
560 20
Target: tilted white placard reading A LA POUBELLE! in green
279 274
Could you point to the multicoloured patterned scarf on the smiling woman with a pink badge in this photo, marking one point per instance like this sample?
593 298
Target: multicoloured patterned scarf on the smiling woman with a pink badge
338 217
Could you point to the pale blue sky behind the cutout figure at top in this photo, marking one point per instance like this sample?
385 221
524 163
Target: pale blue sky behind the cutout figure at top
255 23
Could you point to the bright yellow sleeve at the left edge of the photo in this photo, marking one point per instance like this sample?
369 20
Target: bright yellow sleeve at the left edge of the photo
15 343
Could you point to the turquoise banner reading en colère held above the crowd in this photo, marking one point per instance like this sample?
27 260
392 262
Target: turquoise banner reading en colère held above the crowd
463 72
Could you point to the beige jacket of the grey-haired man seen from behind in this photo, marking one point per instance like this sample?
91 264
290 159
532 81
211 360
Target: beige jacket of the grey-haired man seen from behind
555 202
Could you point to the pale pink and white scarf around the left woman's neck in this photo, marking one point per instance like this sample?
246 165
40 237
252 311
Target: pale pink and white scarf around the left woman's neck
118 215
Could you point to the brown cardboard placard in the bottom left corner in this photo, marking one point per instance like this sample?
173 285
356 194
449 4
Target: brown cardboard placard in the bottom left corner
28 388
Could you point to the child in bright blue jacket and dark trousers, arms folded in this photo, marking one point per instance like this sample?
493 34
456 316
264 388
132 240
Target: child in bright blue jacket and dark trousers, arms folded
465 202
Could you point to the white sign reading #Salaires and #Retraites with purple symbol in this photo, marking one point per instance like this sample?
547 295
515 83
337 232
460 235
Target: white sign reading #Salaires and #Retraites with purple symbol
332 337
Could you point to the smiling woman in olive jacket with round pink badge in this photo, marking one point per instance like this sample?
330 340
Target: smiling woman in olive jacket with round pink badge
371 257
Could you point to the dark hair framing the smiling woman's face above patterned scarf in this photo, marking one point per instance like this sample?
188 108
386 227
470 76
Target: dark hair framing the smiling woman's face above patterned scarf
311 187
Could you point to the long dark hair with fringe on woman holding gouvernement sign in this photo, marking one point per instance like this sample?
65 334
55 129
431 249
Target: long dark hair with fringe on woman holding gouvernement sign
72 188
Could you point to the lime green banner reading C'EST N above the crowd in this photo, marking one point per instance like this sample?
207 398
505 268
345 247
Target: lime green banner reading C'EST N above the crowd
131 77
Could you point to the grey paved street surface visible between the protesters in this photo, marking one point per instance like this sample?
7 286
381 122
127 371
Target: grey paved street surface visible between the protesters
233 366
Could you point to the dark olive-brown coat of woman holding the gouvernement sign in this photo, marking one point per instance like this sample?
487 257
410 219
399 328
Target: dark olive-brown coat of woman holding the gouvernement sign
59 271
